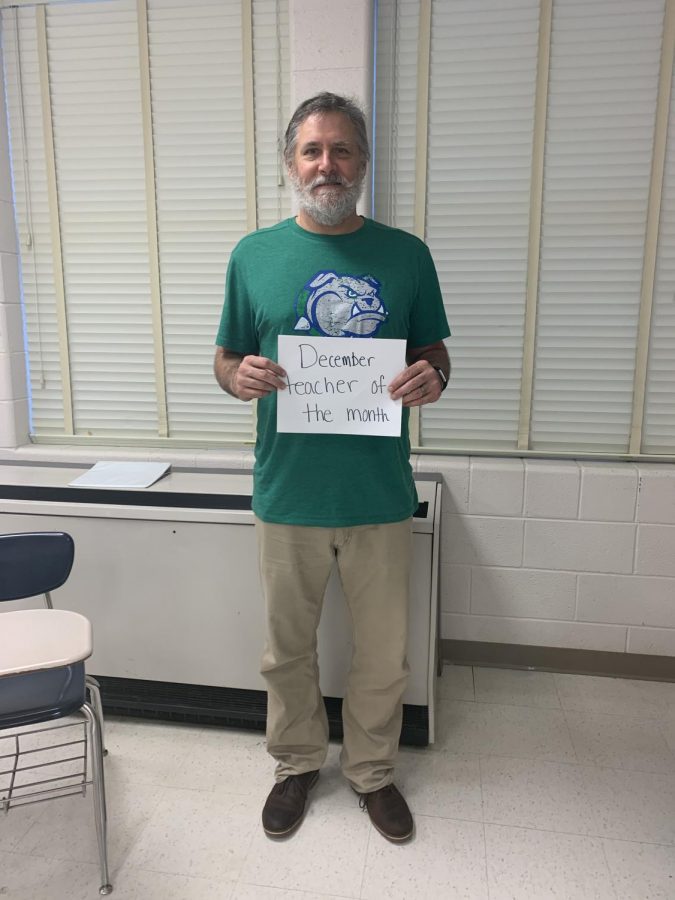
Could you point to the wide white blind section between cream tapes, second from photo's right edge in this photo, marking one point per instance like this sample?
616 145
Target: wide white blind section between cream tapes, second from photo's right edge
602 99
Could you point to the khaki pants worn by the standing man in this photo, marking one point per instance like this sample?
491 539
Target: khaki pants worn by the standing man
374 567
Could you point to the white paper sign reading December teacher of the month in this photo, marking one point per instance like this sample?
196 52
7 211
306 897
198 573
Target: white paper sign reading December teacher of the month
339 385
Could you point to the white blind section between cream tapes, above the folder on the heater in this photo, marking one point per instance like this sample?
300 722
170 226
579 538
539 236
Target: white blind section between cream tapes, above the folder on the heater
98 145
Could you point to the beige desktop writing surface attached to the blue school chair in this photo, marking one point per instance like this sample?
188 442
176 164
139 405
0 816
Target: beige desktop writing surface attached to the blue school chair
35 639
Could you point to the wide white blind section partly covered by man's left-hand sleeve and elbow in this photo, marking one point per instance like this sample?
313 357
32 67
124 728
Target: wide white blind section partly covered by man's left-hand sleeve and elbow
198 136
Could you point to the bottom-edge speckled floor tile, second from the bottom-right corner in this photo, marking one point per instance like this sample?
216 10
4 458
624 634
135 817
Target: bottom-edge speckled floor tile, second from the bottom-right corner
529 865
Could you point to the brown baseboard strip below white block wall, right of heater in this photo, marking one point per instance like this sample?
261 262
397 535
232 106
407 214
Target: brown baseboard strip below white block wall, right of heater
559 659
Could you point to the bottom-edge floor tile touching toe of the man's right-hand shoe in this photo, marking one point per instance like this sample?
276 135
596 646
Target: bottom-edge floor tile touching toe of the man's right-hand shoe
446 859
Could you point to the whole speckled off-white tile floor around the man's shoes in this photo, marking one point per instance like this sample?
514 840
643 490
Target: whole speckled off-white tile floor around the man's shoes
539 786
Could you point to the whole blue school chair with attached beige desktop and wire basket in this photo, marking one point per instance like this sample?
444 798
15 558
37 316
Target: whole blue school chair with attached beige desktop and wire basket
42 680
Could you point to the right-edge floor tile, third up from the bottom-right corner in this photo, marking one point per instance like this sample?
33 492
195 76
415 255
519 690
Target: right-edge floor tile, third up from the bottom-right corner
620 743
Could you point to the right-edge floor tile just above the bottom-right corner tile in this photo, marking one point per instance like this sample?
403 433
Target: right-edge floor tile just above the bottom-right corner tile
632 806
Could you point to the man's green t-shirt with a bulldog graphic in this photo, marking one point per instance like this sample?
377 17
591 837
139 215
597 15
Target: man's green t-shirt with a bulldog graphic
382 283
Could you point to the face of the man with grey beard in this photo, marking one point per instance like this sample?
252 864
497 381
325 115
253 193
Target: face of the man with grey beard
328 170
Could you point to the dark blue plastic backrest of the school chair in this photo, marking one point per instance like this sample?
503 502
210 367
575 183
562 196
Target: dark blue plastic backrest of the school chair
34 563
